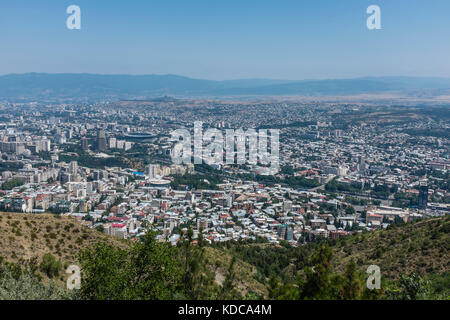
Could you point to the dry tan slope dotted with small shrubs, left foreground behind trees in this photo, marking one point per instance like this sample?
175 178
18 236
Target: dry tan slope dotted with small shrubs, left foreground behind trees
46 244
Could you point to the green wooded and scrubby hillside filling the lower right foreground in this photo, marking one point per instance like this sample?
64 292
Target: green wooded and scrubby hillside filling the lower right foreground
412 255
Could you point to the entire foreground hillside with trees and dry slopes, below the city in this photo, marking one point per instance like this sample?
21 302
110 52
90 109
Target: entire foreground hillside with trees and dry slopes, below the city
413 258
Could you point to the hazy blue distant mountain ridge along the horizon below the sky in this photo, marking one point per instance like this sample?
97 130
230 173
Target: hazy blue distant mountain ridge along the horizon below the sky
34 86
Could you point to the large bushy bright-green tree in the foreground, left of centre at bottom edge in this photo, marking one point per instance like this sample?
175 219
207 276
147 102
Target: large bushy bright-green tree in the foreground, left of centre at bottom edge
147 269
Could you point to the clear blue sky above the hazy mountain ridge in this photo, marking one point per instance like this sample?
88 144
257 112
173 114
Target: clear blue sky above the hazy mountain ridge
232 39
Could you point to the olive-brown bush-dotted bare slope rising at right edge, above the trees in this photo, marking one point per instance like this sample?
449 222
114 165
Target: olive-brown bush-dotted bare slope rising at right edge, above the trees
421 247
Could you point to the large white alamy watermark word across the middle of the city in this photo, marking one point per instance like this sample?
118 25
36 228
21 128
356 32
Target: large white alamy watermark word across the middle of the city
228 149
